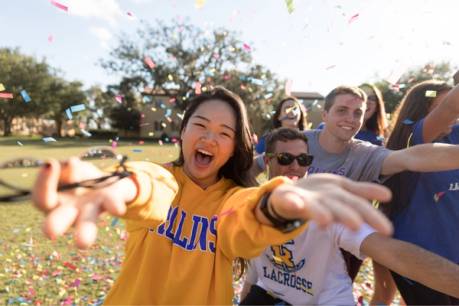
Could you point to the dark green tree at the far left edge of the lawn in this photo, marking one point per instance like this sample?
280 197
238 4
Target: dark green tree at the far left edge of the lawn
20 72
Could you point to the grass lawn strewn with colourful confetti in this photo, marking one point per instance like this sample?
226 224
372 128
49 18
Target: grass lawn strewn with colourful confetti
38 271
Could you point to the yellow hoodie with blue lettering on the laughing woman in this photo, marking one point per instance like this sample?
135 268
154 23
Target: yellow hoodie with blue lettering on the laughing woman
188 258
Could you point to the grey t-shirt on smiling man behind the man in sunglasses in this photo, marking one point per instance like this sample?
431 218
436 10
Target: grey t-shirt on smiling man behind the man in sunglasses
361 161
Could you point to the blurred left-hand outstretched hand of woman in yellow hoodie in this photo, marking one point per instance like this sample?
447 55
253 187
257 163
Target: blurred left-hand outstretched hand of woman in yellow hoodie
79 207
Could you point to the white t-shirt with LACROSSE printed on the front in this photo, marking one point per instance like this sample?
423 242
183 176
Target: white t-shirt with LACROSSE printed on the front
310 269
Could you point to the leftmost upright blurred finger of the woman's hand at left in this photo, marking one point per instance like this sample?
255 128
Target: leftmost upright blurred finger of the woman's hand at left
44 193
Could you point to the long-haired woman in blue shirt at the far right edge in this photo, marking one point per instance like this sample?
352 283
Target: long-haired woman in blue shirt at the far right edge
425 208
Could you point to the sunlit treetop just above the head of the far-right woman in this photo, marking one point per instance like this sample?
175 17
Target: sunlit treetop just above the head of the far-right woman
393 93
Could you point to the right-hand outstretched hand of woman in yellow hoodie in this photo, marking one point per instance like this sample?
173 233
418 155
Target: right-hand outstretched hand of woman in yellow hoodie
328 198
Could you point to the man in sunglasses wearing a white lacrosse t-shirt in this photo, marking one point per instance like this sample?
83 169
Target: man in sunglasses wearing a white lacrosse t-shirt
310 269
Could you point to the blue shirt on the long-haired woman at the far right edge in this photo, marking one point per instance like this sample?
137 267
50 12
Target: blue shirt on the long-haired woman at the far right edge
431 220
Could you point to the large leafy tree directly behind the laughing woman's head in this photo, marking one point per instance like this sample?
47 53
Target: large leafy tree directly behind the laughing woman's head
180 60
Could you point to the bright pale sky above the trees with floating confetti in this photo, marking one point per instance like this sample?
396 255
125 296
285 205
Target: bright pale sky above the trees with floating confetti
318 46
